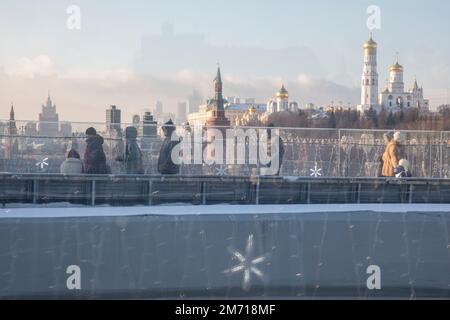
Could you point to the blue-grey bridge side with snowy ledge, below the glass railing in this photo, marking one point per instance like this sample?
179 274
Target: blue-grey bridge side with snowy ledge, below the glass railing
309 251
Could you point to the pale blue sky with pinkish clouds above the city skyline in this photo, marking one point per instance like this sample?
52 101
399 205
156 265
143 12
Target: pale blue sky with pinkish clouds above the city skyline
120 55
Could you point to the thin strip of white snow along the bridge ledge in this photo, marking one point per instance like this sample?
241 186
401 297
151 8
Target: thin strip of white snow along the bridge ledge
223 209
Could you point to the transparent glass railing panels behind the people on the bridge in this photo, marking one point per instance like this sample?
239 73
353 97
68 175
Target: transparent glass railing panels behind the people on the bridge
305 152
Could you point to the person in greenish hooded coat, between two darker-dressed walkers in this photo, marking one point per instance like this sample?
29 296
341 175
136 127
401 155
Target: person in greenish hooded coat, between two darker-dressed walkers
133 156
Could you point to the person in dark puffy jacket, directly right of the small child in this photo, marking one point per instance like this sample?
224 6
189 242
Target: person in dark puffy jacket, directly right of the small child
94 156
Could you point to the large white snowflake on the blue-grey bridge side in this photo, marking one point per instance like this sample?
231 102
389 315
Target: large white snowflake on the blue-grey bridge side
247 264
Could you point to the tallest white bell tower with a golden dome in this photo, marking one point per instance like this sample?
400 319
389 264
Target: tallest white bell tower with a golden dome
369 84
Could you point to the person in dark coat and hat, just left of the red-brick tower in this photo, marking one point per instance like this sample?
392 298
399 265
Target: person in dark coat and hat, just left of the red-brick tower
165 163
